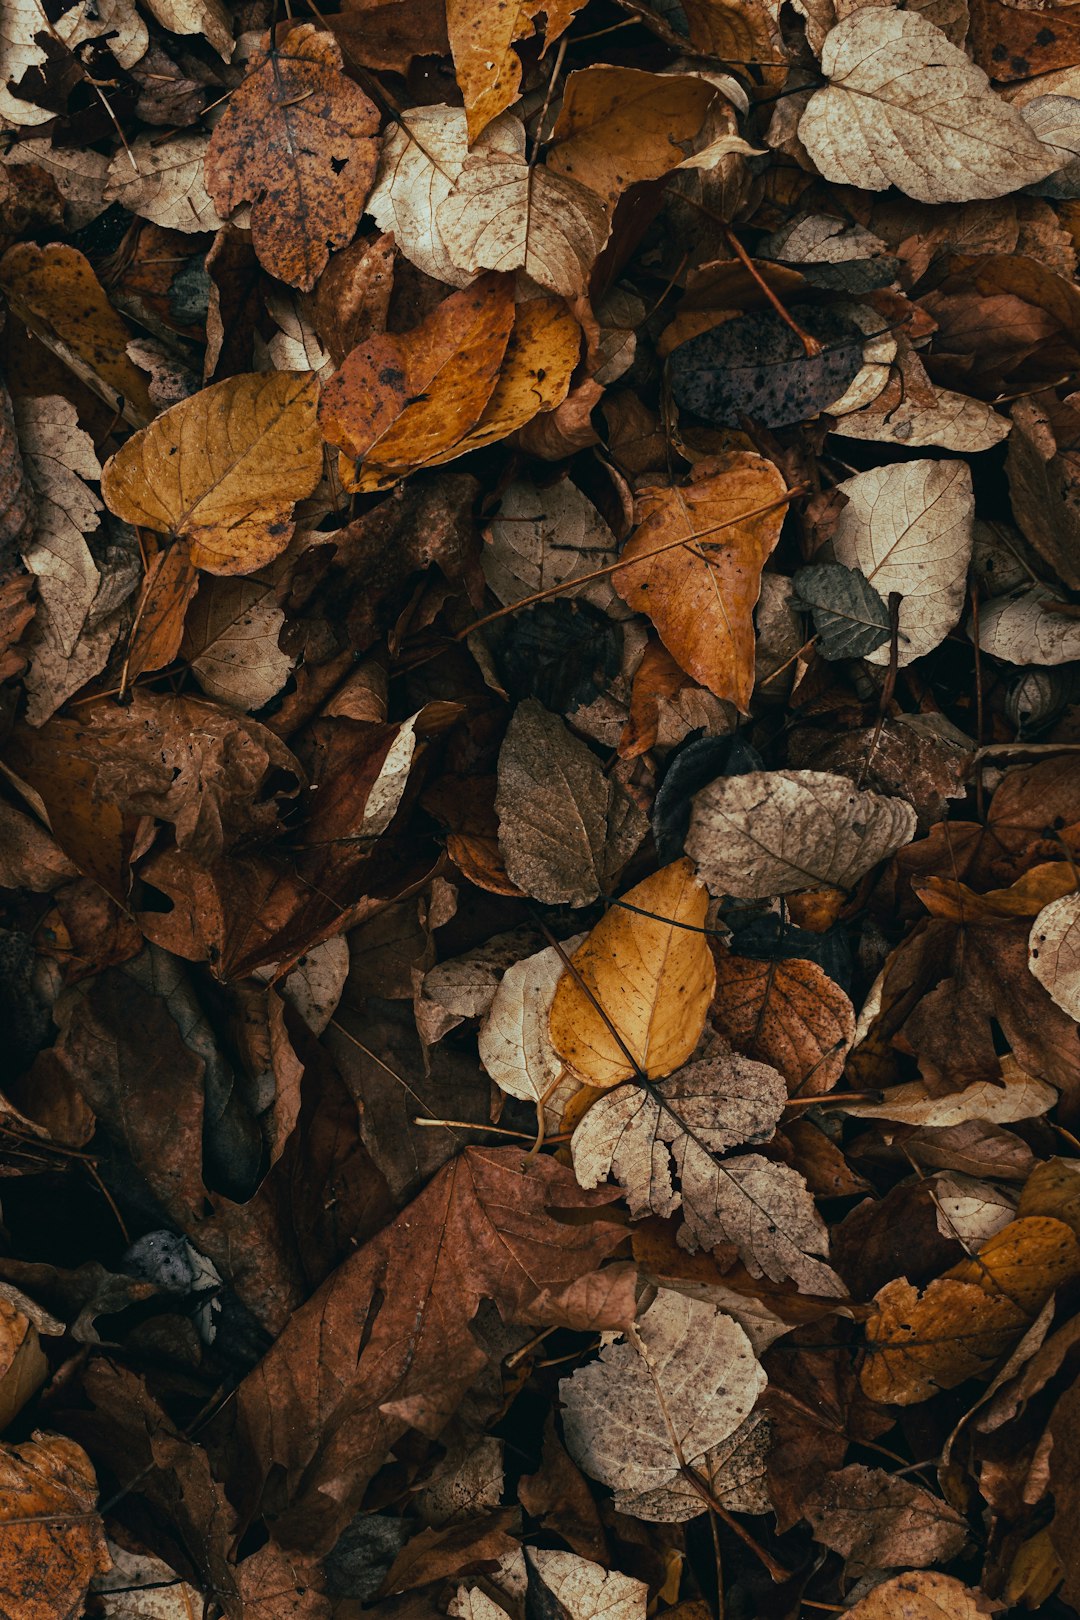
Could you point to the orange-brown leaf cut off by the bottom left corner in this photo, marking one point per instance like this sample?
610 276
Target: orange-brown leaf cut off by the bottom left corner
54 1540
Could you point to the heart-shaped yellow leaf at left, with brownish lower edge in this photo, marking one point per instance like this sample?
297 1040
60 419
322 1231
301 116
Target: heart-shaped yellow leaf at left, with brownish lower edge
224 469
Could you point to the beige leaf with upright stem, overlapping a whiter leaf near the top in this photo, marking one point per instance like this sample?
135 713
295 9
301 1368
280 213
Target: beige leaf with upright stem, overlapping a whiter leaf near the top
506 216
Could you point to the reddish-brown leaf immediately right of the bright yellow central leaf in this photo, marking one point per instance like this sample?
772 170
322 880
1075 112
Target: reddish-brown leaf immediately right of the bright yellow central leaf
789 1015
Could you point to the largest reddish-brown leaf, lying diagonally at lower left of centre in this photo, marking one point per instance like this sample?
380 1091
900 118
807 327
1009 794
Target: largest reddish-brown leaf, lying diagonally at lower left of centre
386 1344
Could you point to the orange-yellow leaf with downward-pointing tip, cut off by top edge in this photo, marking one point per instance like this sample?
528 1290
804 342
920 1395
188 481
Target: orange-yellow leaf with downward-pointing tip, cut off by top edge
487 67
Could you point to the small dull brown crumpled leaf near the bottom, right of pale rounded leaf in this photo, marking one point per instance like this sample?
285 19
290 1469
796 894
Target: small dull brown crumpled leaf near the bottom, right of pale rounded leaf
875 1520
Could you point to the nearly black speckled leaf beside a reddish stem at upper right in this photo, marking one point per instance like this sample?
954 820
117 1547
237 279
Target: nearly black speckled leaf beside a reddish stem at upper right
757 367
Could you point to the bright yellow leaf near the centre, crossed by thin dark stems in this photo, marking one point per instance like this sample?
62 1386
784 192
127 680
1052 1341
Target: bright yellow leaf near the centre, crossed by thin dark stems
650 968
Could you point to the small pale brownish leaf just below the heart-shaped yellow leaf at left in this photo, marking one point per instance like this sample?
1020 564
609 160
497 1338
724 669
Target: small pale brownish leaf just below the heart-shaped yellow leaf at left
231 642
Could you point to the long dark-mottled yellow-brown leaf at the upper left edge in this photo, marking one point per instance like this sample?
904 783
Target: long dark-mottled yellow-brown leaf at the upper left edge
59 297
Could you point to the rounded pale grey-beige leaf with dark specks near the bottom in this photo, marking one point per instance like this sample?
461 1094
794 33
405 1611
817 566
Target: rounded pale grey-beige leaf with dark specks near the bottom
687 1371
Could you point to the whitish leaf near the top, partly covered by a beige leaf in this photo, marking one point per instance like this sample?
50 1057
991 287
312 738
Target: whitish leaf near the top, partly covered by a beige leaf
422 160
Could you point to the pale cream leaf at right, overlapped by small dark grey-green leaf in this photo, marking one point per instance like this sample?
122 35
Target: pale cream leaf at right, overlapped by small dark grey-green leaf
909 529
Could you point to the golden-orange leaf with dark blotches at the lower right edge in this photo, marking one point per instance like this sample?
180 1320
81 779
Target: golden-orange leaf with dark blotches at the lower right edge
966 1321
